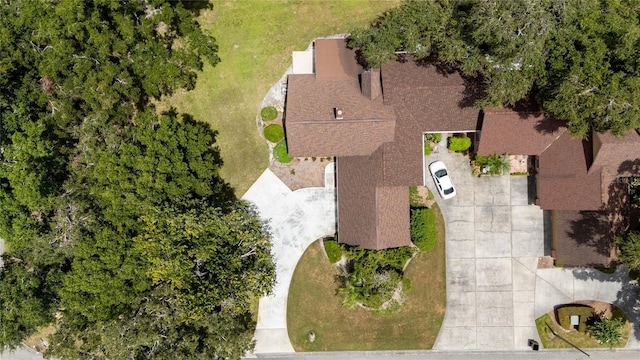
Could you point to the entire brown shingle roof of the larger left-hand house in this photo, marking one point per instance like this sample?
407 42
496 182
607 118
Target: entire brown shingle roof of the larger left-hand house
373 122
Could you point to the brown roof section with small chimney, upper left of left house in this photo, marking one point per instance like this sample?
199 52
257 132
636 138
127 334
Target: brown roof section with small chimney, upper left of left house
311 125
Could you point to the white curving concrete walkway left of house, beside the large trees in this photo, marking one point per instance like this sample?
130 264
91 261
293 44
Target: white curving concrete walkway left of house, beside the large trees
296 219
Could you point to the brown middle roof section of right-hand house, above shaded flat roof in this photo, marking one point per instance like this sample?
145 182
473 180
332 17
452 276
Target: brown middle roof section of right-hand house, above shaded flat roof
563 179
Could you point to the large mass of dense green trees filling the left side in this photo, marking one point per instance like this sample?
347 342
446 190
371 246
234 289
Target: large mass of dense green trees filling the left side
118 227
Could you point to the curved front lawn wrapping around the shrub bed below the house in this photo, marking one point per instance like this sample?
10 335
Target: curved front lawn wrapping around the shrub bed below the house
314 306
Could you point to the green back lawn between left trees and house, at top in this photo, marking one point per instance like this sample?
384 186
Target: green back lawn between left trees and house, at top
255 40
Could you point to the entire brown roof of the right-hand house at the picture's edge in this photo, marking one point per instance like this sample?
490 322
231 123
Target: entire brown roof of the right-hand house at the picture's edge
579 180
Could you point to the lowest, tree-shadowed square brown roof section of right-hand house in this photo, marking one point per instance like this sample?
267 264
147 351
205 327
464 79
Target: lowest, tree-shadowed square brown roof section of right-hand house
582 238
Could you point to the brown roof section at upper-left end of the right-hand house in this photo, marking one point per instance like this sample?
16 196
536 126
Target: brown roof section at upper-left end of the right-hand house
505 131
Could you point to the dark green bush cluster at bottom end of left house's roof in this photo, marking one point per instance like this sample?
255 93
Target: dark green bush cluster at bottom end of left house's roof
372 277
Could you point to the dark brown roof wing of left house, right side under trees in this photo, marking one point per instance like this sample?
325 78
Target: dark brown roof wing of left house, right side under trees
437 101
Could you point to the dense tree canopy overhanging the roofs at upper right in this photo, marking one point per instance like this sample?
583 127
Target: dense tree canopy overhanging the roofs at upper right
580 58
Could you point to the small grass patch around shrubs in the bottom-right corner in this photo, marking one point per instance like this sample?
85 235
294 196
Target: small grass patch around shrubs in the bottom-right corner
551 336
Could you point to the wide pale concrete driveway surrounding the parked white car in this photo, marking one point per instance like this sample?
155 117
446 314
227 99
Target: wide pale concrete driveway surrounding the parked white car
495 291
